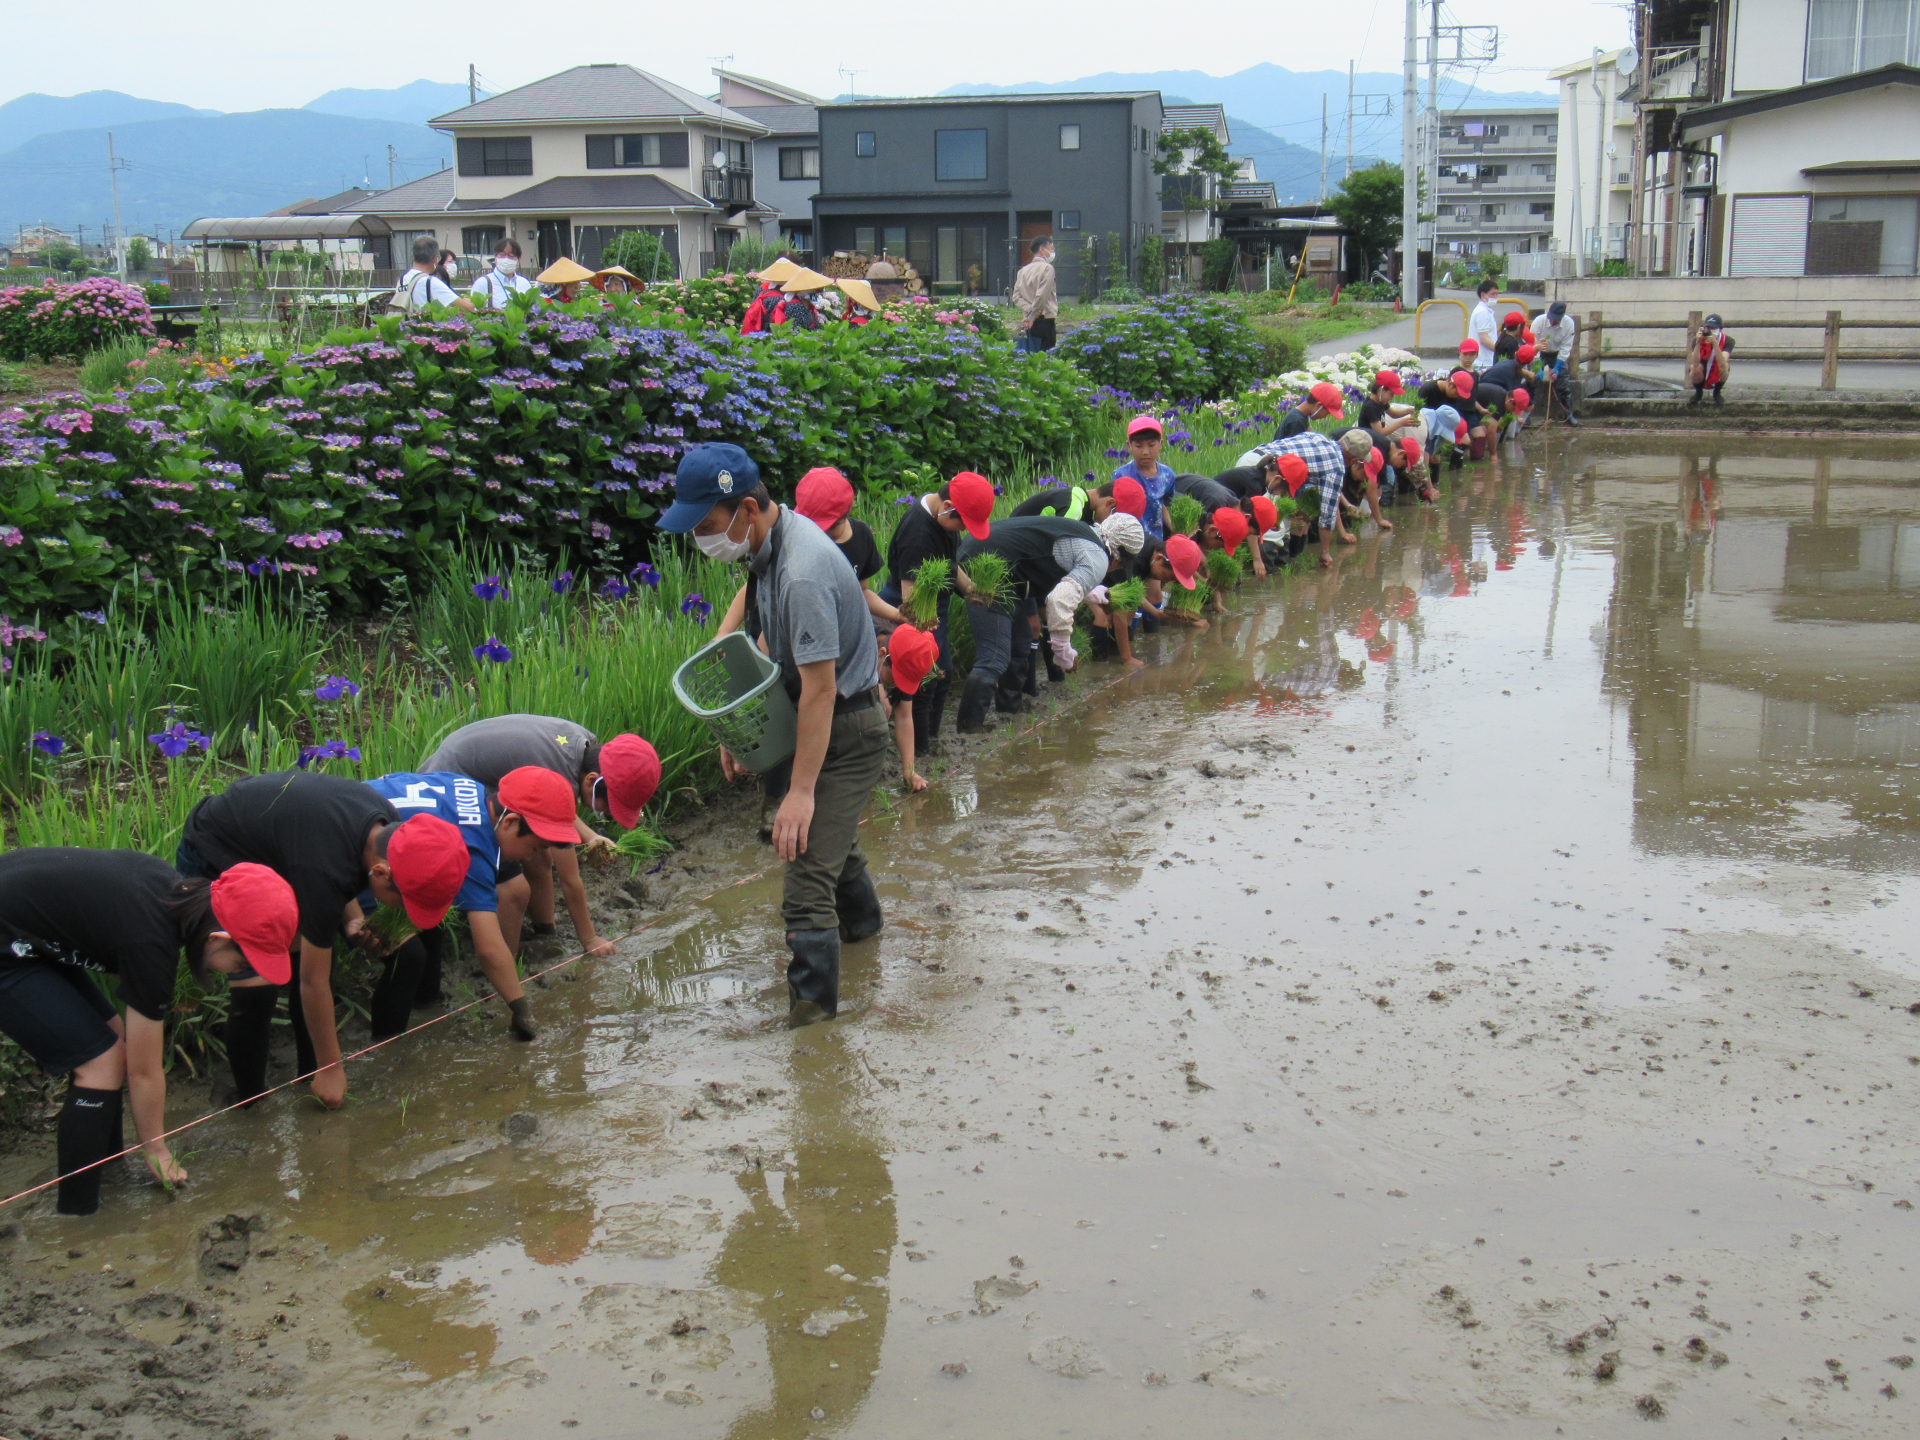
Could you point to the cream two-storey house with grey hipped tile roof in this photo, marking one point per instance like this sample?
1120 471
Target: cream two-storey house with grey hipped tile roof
569 162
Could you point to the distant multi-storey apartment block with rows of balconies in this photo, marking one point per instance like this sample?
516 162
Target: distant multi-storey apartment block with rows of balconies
1497 178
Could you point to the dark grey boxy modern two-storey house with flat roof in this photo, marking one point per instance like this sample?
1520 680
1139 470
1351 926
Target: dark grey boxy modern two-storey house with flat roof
963 185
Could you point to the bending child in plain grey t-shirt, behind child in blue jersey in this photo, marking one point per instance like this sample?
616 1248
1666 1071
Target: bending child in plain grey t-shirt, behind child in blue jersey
615 780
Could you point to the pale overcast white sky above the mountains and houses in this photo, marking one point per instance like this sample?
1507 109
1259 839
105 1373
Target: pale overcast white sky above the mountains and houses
247 57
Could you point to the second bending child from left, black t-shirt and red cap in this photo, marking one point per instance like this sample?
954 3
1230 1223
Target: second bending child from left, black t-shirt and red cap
329 838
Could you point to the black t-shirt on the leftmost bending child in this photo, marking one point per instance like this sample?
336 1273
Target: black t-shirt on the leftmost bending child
95 909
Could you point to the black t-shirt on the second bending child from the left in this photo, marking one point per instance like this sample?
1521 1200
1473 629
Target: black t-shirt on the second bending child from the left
308 828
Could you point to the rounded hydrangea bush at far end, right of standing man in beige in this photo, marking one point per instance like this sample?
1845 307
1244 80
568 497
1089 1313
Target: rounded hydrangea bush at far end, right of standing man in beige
1174 348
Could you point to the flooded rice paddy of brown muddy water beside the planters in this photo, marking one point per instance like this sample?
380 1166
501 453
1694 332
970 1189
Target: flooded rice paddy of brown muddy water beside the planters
1462 994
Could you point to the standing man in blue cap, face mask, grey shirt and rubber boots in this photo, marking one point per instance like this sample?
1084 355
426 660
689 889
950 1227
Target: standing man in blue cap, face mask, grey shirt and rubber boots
817 629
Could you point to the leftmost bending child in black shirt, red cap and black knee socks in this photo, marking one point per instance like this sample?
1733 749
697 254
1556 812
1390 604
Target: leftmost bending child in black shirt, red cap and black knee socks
66 913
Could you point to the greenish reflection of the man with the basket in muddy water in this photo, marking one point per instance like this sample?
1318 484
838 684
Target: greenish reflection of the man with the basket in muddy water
815 1245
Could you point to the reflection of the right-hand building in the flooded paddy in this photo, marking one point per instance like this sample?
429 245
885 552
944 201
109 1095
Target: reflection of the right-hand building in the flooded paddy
1764 638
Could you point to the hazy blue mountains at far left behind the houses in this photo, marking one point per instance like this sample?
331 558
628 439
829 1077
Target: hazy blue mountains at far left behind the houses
183 162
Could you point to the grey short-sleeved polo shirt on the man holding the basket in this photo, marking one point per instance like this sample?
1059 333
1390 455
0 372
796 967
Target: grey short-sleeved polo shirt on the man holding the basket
811 608
